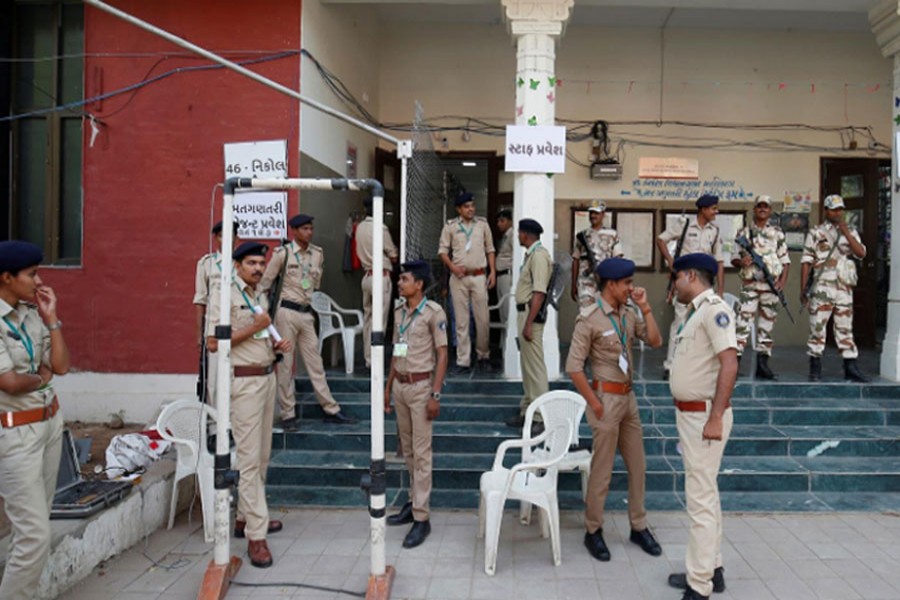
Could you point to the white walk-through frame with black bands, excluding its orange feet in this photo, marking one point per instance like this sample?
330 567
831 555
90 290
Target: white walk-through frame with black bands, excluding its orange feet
224 476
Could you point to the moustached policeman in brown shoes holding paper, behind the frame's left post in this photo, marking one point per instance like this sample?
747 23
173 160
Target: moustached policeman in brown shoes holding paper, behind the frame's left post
252 395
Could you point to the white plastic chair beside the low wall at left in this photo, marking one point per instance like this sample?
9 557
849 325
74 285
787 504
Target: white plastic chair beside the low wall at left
184 422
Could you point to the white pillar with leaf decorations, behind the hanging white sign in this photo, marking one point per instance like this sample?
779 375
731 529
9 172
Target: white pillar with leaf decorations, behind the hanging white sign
535 25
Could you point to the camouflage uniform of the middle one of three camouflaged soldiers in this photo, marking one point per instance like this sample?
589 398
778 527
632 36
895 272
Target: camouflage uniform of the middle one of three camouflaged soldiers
756 295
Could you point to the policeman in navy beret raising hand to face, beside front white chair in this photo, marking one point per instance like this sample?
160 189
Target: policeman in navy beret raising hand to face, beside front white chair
604 333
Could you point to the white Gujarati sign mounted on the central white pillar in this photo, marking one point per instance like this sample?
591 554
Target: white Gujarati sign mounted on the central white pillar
535 149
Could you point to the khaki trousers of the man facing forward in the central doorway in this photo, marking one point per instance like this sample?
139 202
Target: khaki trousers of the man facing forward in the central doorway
464 291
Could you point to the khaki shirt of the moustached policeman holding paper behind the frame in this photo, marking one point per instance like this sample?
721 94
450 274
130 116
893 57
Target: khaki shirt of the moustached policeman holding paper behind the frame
256 351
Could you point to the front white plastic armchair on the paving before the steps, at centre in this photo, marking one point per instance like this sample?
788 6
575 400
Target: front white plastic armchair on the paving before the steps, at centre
534 481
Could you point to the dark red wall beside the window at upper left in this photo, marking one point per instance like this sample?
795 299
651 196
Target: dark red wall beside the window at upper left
149 177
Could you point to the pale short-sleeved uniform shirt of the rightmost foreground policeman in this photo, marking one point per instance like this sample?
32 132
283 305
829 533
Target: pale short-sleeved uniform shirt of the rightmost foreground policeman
708 330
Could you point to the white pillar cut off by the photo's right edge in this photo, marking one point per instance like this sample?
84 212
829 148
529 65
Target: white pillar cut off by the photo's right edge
884 18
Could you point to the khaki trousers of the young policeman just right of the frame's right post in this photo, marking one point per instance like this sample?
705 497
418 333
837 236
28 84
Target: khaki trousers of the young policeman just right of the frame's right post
414 429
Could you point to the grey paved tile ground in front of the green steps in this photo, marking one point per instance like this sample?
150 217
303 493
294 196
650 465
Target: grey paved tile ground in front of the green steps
784 556
